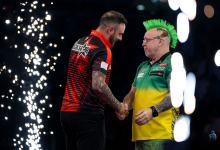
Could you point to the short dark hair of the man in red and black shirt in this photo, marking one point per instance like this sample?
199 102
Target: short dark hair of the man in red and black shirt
112 17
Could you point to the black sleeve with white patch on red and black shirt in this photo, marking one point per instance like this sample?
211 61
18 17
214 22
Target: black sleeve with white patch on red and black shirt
98 60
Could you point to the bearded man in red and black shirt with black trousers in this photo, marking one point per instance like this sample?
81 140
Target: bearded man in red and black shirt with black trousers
87 91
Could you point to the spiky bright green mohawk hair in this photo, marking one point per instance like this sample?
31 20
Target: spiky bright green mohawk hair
159 23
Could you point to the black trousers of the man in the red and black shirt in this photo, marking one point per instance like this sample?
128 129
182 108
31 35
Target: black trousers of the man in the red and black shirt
83 131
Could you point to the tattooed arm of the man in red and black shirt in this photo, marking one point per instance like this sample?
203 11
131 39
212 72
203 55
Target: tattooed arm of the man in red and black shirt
103 91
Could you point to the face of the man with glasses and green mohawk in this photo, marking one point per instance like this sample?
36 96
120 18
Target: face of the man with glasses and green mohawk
150 43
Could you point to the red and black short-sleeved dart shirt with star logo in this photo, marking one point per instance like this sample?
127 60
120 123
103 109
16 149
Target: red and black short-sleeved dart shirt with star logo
90 53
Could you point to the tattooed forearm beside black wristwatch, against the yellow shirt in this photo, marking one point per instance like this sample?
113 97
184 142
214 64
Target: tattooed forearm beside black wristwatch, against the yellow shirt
164 105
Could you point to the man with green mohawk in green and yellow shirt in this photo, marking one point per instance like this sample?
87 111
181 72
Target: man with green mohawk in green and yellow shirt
149 97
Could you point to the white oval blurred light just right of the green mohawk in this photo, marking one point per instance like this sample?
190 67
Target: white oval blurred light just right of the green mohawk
182 27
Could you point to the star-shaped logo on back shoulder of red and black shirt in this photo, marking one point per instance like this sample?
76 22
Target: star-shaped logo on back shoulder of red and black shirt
82 49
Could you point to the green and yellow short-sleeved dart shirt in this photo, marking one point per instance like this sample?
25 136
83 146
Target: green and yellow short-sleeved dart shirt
152 84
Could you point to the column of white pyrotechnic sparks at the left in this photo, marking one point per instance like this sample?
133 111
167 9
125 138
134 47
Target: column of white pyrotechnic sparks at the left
37 66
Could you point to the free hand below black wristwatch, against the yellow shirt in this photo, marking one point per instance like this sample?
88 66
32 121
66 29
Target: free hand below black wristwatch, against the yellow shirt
144 116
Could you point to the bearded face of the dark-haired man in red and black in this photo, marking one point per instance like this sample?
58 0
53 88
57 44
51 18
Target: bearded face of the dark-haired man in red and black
117 35
